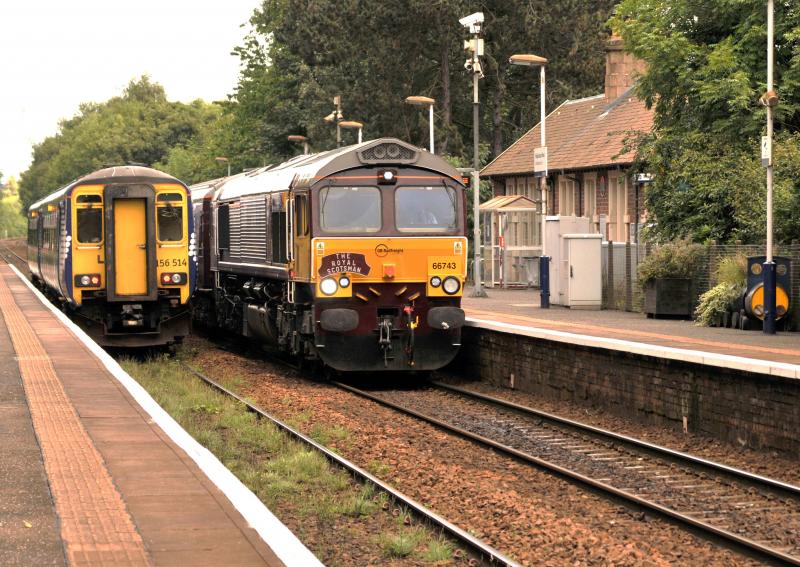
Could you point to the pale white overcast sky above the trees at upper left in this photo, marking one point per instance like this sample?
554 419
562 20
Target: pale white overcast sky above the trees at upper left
56 54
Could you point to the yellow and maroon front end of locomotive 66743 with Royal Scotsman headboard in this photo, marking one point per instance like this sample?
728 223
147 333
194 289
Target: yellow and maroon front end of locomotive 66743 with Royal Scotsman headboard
387 266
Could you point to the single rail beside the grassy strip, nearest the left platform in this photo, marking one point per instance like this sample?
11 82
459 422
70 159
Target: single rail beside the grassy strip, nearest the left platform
481 552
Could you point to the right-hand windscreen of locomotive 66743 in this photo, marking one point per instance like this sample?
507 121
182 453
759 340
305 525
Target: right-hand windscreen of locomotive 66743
425 209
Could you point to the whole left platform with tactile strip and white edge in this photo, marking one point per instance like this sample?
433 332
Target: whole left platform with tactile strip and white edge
94 472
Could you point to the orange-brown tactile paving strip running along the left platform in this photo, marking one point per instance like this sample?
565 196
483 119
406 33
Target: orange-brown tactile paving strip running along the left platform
95 525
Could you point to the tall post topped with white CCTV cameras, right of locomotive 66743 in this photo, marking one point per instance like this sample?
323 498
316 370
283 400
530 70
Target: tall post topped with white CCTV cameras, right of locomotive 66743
474 46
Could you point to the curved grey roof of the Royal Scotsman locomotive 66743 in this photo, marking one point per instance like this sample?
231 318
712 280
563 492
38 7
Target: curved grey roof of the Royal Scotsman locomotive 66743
304 170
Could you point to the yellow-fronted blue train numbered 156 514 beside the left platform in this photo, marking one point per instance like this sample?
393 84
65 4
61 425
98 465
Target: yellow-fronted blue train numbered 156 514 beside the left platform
116 250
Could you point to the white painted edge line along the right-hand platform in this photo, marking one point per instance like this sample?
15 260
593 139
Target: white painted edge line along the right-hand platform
782 369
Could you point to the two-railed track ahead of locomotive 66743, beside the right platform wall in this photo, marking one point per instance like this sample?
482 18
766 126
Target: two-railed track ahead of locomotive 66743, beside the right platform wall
757 515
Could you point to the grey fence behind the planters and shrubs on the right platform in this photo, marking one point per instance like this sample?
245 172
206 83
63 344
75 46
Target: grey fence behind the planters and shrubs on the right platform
621 289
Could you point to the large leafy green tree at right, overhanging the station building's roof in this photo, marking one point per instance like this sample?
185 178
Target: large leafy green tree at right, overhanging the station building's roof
706 68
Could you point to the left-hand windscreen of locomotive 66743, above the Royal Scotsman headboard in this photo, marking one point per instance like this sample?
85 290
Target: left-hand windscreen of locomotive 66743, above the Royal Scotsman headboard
350 209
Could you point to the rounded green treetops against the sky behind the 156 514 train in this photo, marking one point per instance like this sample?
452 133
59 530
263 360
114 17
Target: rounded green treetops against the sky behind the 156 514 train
139 126
